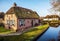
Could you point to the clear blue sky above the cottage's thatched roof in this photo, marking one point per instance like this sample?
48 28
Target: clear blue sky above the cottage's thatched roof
40 6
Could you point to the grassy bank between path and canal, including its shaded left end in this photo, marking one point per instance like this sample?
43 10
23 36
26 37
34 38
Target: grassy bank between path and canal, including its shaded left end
26 36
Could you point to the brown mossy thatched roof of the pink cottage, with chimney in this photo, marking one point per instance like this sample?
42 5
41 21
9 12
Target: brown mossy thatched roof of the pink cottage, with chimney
22 12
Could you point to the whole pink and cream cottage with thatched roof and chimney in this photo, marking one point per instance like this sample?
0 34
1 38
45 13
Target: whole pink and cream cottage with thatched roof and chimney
17 18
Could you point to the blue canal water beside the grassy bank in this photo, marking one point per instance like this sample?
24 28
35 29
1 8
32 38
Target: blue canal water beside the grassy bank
51 33
